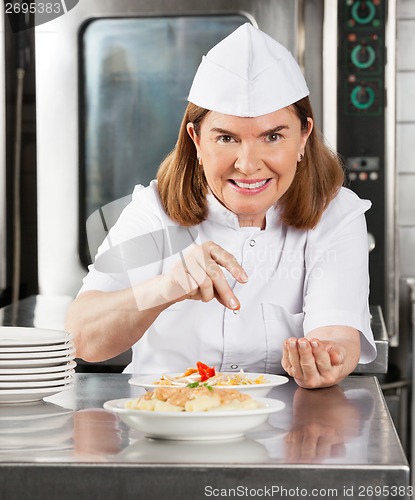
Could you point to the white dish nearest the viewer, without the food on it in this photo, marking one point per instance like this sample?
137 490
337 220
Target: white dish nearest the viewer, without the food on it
184 426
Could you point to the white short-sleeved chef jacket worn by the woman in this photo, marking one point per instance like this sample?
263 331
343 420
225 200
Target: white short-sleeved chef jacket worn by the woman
299 280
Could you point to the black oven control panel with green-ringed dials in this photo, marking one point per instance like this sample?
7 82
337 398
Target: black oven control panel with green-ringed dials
361 117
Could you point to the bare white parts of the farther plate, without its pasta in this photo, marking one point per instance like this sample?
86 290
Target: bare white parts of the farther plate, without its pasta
256 390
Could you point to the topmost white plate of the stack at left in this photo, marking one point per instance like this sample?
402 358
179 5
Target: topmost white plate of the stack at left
26 336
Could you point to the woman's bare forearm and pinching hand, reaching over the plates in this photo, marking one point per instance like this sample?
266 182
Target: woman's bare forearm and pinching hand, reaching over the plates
96 317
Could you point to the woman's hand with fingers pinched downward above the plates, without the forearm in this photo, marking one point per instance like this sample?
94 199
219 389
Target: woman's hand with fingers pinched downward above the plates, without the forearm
199 276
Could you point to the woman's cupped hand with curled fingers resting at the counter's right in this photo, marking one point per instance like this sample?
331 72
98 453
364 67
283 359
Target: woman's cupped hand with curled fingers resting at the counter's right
314 362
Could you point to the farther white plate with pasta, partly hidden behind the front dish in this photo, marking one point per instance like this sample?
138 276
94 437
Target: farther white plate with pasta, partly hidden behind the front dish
255 384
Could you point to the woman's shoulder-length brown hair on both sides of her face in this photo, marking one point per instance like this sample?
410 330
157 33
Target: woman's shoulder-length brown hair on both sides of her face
183 187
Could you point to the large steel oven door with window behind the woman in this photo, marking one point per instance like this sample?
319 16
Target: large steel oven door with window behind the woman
111 85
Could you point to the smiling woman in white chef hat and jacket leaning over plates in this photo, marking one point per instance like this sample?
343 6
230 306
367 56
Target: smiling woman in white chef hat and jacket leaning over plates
246 252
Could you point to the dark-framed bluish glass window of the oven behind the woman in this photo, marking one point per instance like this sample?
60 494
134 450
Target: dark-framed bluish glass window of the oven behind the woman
135 78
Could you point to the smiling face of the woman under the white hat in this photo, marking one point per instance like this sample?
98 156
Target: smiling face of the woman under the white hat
249 163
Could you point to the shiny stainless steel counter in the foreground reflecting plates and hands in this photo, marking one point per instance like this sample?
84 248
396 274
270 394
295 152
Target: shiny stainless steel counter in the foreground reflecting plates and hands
337 442
